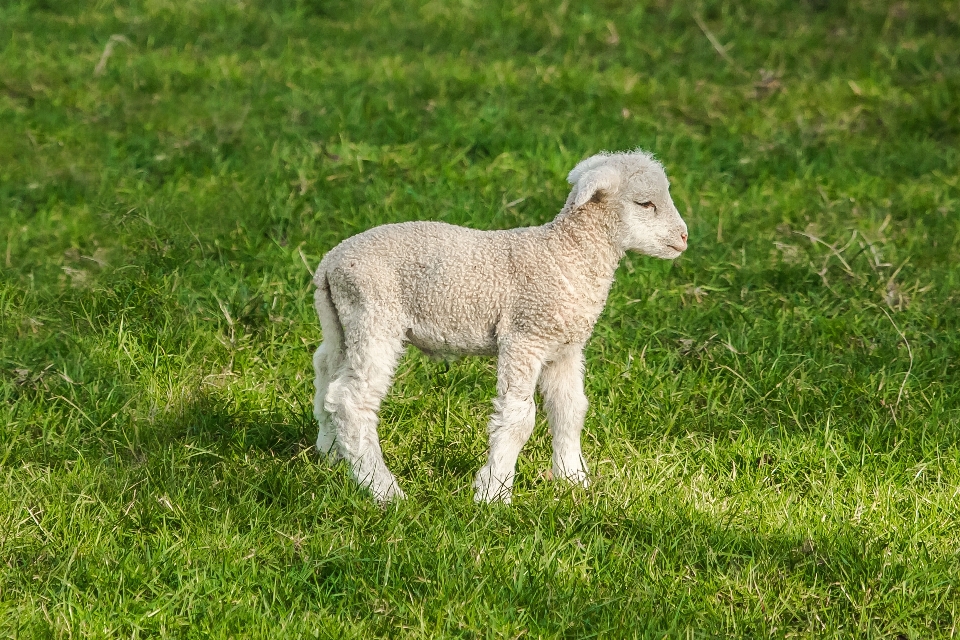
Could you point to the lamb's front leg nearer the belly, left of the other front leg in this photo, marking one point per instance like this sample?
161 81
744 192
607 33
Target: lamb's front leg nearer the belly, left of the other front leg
512 421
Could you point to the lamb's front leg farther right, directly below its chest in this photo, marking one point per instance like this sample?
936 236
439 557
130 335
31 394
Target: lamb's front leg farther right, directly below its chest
566 406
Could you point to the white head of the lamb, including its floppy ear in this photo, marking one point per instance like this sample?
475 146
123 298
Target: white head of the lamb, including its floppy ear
635 186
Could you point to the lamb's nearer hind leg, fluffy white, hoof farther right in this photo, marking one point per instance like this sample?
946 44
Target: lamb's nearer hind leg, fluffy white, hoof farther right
353 401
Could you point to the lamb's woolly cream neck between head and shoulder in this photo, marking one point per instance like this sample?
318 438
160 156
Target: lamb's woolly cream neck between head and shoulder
590 242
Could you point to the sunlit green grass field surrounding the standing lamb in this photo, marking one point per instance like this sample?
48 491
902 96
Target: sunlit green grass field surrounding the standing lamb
774 432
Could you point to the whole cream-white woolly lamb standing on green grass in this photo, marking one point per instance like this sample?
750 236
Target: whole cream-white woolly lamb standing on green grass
530 296
